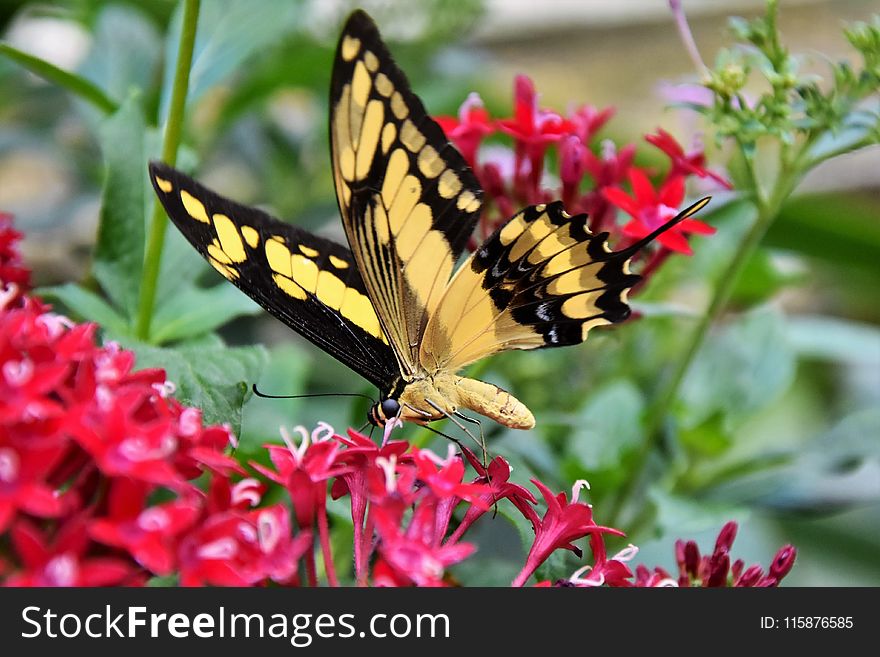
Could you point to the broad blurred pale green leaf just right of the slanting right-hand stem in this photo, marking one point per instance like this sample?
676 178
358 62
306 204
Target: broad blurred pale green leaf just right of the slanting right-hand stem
739 371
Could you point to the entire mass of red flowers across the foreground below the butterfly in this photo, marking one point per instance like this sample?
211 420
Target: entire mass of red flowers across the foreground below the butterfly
98 472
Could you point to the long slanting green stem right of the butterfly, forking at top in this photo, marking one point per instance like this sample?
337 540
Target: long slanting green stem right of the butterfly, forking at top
767 211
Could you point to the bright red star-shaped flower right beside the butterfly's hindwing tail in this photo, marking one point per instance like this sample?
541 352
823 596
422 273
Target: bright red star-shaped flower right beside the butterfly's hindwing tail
650 209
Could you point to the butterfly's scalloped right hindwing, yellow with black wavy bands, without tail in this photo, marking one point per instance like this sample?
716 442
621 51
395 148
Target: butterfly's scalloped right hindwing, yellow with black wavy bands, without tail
541 280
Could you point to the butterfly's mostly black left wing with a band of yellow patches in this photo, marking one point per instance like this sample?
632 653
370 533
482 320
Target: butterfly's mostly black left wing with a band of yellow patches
310 283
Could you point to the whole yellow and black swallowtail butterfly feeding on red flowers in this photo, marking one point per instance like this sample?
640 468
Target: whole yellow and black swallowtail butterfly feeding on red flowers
390 307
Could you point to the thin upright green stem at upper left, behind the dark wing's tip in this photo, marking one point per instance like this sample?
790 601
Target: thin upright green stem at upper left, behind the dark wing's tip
173 128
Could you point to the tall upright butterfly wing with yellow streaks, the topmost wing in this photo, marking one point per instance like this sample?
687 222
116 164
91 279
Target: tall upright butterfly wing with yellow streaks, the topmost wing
408 200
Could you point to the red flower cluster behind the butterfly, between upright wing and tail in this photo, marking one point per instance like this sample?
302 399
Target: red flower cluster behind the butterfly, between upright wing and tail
513 179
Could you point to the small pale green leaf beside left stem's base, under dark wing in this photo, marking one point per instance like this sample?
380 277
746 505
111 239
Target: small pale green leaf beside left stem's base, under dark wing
193 311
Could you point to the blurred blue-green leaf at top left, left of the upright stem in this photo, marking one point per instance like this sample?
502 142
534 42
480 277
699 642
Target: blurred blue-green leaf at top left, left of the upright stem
125 51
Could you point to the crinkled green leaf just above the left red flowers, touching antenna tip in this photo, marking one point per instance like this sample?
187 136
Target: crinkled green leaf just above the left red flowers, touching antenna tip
215 379
